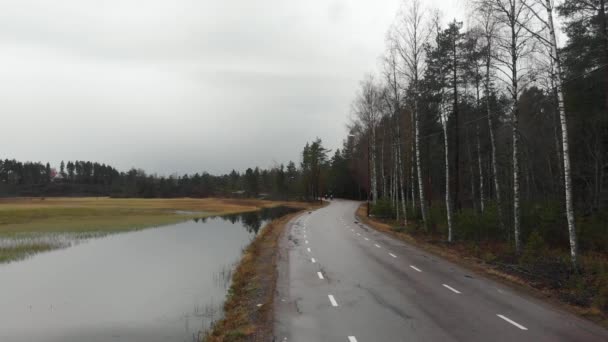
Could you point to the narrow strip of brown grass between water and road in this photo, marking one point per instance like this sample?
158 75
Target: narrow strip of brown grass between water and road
248 310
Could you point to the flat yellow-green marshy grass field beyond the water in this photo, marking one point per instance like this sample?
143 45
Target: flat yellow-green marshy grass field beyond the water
31 225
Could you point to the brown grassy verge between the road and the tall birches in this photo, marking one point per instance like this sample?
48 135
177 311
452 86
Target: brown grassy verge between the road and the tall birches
539 271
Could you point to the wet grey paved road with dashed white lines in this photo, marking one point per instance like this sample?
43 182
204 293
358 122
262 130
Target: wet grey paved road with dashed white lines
342 281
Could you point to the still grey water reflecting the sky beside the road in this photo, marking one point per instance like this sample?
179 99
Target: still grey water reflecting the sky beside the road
159 284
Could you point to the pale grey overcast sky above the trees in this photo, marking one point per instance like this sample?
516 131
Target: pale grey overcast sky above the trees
183 85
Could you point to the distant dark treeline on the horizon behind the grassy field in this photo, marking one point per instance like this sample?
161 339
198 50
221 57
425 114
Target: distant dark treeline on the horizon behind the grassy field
85 178
